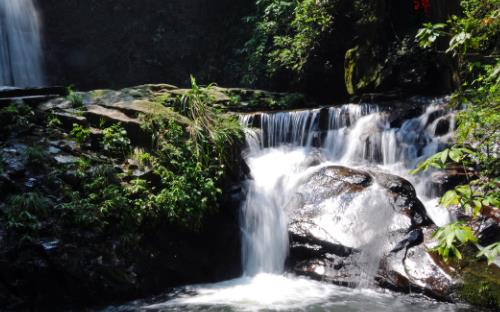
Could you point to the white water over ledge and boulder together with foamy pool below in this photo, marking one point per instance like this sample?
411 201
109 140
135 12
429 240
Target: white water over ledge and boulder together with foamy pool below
278 155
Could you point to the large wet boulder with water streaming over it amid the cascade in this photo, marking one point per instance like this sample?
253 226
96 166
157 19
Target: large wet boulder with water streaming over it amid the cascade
351 226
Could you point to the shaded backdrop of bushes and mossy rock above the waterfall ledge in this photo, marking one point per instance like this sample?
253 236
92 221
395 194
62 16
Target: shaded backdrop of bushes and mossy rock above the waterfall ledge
339 48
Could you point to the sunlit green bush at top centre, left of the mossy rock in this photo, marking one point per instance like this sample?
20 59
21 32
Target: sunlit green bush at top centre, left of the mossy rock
285 36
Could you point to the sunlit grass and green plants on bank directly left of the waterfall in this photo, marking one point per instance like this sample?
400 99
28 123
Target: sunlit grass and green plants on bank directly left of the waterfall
189 157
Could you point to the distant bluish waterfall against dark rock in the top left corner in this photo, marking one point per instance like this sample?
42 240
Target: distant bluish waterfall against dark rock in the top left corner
20 44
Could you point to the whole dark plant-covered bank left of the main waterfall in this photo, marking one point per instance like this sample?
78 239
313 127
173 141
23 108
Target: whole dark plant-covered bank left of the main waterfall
94 202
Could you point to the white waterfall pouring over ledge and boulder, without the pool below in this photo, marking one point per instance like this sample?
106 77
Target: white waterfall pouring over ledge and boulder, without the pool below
278 155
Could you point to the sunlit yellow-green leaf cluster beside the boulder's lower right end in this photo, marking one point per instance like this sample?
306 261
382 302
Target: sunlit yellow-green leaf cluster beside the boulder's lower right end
449 236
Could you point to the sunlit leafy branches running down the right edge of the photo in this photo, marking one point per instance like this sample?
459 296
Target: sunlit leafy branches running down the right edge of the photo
472 42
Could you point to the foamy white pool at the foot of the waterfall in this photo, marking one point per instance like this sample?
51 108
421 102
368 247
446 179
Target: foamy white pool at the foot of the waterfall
270 292
